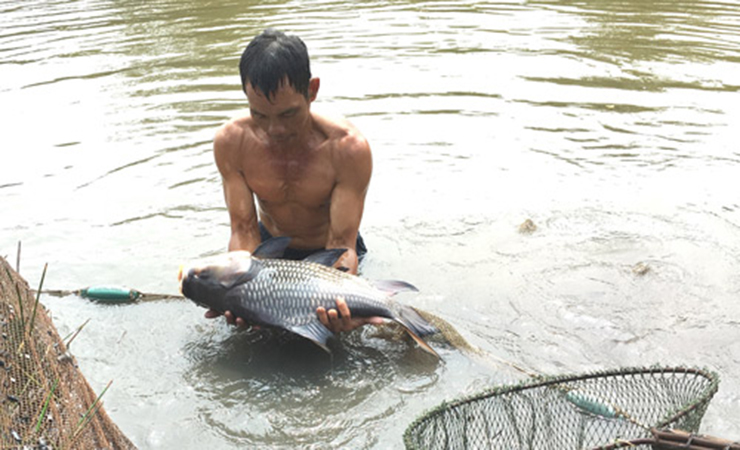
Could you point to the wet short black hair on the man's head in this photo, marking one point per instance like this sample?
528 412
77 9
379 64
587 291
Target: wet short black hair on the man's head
270 58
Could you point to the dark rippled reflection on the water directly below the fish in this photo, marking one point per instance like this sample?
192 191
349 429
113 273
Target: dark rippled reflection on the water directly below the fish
267 389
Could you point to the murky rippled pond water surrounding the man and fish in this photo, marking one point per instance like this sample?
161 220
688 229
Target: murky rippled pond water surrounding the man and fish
611 125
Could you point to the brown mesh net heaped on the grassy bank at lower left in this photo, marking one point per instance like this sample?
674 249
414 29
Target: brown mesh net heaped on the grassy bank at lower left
45 401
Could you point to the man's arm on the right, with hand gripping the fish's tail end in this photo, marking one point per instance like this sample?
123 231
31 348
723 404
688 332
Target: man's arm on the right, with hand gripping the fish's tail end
353 163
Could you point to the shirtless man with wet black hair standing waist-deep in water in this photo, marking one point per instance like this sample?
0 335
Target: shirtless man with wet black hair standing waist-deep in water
309 174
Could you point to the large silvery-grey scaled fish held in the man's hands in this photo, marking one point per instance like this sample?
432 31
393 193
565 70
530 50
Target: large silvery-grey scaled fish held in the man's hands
284 294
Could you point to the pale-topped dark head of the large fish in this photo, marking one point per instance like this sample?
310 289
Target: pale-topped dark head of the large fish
206 282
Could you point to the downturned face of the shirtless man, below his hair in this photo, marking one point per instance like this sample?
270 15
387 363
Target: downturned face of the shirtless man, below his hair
284 116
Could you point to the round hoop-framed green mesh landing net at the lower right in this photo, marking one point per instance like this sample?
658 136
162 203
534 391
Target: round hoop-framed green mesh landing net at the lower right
570 412
